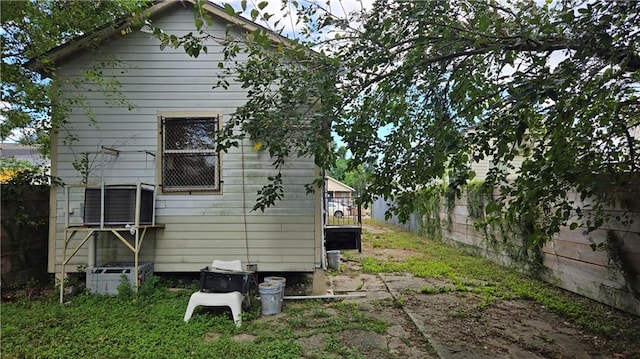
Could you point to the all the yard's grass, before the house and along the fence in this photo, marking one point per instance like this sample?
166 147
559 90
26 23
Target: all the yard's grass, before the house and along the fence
148 324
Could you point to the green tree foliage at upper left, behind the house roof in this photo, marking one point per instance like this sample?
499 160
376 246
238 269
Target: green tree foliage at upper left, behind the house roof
29 30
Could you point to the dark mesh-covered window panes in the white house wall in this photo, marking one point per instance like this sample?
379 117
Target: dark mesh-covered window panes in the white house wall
189 158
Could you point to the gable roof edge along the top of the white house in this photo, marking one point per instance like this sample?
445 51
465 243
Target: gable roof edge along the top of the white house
44 63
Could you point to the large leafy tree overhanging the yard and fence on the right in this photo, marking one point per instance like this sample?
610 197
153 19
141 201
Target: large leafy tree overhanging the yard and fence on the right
424 88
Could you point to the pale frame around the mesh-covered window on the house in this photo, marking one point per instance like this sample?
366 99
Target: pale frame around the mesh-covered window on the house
163 118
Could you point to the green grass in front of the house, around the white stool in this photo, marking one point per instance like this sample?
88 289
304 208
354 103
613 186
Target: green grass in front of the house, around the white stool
149 325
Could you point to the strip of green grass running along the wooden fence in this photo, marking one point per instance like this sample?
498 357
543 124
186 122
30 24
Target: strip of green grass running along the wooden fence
435 259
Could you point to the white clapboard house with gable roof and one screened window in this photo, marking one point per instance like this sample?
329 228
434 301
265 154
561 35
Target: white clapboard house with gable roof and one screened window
170 199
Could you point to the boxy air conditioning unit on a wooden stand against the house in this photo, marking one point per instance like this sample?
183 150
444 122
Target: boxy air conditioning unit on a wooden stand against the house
119 205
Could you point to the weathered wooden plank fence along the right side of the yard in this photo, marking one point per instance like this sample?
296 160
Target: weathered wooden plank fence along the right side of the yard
609 274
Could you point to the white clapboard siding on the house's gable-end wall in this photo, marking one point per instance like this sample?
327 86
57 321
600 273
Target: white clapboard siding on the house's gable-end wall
198 227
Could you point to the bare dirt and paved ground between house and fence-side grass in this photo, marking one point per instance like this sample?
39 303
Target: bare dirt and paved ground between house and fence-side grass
459 325
